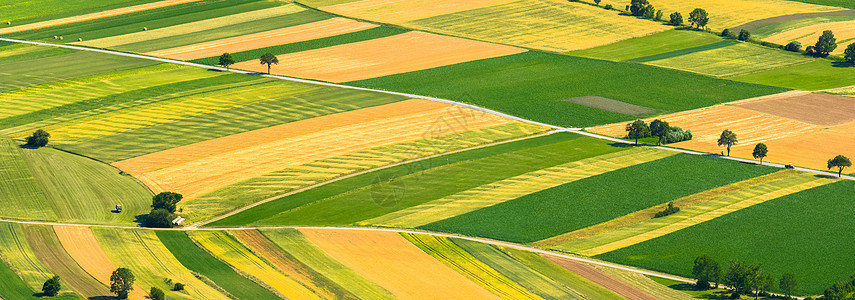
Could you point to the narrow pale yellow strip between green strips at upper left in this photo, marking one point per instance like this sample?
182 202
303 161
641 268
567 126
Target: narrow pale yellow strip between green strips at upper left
153 34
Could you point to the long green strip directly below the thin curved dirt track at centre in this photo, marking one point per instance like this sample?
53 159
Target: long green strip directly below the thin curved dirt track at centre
365 197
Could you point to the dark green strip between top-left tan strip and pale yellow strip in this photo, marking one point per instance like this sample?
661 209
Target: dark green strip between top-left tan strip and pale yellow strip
135 22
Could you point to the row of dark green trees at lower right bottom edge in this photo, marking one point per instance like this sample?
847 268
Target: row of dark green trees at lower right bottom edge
741 278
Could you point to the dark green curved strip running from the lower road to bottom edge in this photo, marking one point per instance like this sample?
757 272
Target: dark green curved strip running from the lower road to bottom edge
200 261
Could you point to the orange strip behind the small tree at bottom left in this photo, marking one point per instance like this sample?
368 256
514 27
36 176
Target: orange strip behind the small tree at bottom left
80 243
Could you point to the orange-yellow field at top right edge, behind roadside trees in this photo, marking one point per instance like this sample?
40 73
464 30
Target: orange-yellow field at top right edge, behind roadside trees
808 35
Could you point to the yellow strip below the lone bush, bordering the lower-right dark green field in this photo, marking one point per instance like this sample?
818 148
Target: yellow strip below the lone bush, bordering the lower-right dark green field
694 213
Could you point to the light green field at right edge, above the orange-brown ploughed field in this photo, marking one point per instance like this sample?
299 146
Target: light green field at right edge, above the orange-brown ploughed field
817 75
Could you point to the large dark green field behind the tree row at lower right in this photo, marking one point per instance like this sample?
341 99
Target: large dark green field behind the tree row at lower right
794 233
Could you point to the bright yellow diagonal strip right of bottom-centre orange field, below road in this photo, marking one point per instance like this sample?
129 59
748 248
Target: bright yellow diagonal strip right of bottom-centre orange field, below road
464 263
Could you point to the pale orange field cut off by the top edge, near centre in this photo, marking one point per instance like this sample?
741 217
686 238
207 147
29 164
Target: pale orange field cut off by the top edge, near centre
396 11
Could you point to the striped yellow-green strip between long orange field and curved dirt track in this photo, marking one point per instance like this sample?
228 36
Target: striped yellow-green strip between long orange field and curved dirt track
290 179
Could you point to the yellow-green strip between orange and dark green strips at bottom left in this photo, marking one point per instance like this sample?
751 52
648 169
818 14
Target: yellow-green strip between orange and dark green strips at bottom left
151 262
